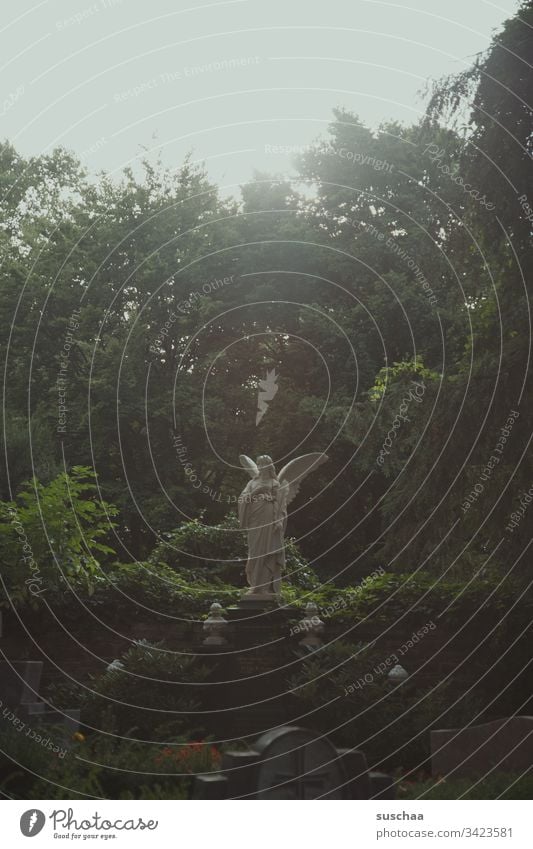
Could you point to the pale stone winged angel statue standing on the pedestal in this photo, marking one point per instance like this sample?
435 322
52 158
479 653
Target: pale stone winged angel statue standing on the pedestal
263 514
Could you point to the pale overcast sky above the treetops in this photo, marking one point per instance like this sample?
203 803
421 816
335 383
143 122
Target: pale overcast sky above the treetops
228 80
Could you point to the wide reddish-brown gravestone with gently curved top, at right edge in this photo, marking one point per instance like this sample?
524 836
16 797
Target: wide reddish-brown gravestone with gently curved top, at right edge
504 744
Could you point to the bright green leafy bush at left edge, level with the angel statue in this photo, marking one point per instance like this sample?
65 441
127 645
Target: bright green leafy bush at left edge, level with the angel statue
53 535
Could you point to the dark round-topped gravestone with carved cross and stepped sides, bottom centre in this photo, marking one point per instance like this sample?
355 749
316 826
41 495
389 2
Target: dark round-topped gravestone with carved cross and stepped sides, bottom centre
293 763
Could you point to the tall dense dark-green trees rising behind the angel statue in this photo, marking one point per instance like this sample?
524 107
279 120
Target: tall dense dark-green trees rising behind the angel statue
387 285
